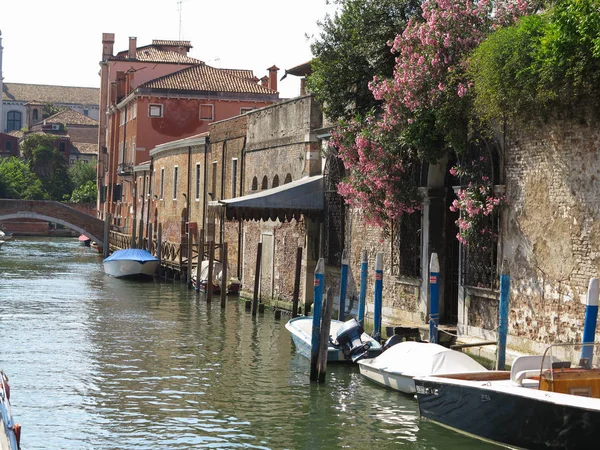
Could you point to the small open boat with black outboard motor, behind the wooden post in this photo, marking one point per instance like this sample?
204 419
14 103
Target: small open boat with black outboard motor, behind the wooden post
348 341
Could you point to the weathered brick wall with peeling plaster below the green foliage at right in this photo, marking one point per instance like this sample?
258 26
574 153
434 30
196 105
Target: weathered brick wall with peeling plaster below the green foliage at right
551 231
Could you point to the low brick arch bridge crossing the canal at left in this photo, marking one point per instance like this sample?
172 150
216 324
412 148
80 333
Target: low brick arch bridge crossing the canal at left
52 211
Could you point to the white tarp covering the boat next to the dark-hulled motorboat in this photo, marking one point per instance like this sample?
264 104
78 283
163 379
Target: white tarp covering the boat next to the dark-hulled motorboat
423 358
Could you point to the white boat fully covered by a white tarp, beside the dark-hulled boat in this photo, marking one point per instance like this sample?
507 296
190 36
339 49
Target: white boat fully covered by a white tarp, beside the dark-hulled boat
397 366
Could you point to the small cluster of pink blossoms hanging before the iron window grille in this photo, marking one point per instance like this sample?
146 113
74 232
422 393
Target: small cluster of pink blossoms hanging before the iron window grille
477 203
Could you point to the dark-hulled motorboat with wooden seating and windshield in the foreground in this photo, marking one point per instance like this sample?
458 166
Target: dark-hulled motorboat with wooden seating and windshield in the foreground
541 403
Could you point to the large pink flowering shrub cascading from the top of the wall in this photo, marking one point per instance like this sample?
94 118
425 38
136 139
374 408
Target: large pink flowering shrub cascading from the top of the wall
426 106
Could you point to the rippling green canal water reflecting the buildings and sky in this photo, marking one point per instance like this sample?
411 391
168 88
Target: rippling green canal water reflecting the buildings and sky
101 363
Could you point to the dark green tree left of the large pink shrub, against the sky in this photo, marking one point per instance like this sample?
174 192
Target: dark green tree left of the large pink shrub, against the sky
353 47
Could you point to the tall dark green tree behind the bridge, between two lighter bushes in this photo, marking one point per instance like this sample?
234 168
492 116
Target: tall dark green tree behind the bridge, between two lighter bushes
48 164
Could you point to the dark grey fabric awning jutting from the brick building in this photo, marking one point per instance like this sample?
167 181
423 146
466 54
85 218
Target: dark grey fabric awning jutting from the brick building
291 200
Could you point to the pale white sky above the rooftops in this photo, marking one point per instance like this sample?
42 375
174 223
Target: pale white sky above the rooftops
60 42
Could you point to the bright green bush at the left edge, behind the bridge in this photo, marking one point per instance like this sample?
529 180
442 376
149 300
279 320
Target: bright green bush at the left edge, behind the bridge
17 181
